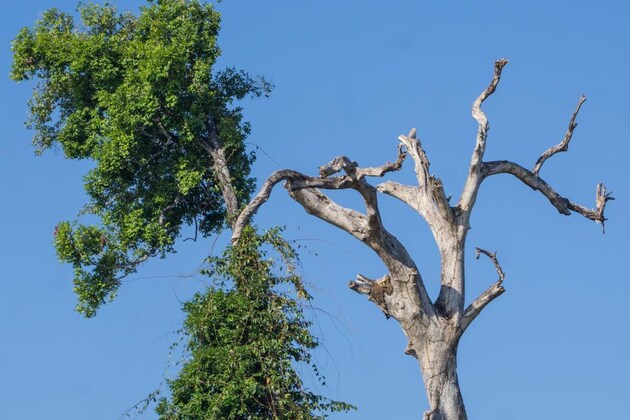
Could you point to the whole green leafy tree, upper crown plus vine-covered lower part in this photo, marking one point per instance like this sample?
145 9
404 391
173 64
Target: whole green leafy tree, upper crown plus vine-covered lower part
138 96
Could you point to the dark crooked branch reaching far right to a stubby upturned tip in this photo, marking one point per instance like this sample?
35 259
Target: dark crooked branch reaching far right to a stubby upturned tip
564 205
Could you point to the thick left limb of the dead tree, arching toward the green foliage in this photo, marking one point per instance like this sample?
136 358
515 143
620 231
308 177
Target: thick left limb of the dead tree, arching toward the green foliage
366 227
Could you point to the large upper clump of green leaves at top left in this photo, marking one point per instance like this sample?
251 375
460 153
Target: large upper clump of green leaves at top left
138 96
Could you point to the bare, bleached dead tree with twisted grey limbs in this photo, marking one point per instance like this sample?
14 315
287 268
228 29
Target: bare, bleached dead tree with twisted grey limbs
432 327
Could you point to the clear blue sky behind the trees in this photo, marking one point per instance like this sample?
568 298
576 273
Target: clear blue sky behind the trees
350 77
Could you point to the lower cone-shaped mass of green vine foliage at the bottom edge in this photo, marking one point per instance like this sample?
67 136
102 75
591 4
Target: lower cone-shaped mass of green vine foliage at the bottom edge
245 338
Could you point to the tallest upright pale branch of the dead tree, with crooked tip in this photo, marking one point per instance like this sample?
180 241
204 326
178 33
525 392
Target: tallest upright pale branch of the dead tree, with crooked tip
473 181
